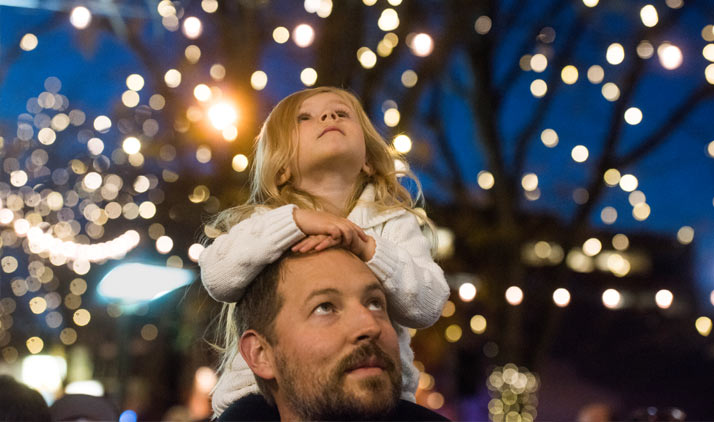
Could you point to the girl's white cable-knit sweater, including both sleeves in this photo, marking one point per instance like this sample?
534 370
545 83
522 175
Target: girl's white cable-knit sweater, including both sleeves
415 284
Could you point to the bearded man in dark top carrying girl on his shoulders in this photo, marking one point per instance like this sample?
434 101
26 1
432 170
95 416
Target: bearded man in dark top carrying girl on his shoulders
317 335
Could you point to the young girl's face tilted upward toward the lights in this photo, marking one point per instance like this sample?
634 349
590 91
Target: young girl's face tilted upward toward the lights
330 137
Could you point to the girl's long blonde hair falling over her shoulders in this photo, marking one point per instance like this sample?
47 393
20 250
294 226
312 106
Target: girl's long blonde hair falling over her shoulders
276 152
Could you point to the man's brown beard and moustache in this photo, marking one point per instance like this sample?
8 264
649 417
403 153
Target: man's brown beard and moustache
323 396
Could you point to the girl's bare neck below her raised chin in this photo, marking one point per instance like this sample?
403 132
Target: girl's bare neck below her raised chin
333 190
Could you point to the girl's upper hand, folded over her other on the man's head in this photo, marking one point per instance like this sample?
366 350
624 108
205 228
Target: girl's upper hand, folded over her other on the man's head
339 229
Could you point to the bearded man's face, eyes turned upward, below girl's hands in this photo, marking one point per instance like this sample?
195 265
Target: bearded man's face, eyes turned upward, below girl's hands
336 353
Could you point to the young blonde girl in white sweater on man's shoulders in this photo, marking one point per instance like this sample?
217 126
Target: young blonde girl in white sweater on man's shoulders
322 176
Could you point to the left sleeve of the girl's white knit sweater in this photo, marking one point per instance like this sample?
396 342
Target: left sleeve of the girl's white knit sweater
231 262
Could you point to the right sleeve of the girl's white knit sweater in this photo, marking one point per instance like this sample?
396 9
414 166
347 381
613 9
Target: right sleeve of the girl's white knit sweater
415 284
